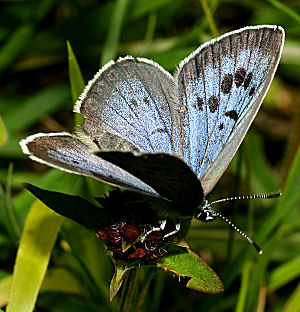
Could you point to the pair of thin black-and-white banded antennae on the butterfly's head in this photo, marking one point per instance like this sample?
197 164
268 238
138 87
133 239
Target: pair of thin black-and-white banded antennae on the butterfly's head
263 196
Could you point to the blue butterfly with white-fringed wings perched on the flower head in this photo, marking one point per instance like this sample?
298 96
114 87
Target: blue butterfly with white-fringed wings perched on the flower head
165 136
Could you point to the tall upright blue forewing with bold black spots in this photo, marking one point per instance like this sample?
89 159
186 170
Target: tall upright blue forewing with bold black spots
221 86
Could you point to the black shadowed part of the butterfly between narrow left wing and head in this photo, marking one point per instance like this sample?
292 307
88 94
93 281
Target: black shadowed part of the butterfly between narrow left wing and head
168 175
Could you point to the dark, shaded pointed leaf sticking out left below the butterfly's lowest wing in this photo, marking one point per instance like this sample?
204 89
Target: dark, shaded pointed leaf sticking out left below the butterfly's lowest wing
71 206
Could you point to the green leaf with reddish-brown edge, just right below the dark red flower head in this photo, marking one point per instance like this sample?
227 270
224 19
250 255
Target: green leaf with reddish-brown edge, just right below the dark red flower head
189 264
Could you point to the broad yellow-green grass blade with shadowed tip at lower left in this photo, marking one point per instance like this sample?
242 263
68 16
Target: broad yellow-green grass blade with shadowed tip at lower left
39 235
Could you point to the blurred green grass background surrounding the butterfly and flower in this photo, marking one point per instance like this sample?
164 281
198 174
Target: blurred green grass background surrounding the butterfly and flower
35 96
